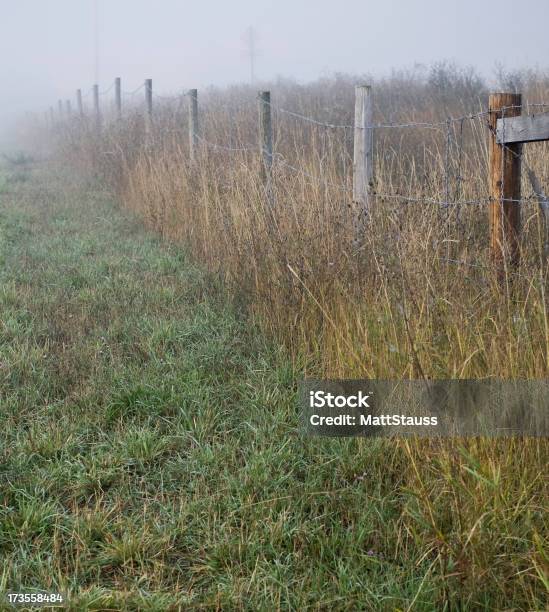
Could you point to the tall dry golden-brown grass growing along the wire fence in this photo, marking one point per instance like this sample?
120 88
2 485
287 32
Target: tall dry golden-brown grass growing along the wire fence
415 297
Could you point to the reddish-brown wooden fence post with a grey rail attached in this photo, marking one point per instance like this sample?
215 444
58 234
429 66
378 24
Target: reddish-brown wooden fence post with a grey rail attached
505 166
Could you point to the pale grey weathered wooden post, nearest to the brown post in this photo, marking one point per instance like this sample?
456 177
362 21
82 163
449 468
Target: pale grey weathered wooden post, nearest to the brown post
363 166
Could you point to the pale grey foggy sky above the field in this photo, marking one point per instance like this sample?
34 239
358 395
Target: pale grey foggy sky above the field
47 46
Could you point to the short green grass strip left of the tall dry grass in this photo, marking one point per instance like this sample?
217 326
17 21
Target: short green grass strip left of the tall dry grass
150 455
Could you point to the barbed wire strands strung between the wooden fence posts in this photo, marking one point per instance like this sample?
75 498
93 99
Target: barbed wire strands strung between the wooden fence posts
451 129
